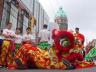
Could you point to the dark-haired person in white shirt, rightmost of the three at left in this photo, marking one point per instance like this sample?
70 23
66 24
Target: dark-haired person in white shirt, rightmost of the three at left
28 37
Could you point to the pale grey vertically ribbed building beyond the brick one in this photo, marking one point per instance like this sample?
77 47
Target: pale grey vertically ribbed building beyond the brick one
38 13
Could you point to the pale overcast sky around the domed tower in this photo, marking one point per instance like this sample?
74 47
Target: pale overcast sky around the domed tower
80 13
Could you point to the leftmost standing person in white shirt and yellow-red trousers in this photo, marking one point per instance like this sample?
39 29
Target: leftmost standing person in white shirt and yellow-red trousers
8 46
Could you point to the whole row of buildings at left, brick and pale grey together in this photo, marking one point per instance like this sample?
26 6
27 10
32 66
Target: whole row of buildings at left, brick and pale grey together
23 13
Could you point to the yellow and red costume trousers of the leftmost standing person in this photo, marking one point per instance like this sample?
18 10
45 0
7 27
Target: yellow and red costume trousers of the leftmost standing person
6 53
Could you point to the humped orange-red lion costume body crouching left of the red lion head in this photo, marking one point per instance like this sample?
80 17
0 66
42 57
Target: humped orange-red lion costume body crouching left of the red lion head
33 54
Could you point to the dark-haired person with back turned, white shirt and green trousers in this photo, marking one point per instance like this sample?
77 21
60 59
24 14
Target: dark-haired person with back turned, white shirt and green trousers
44 37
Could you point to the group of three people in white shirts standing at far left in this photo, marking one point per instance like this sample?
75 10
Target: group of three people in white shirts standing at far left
12 41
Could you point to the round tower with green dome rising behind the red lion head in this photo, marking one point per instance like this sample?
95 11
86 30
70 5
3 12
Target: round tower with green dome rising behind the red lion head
61 19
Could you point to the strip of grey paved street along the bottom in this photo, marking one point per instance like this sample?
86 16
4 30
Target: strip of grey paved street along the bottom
79 70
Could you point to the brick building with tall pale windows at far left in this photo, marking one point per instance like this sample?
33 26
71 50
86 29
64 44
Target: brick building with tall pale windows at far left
16 12
